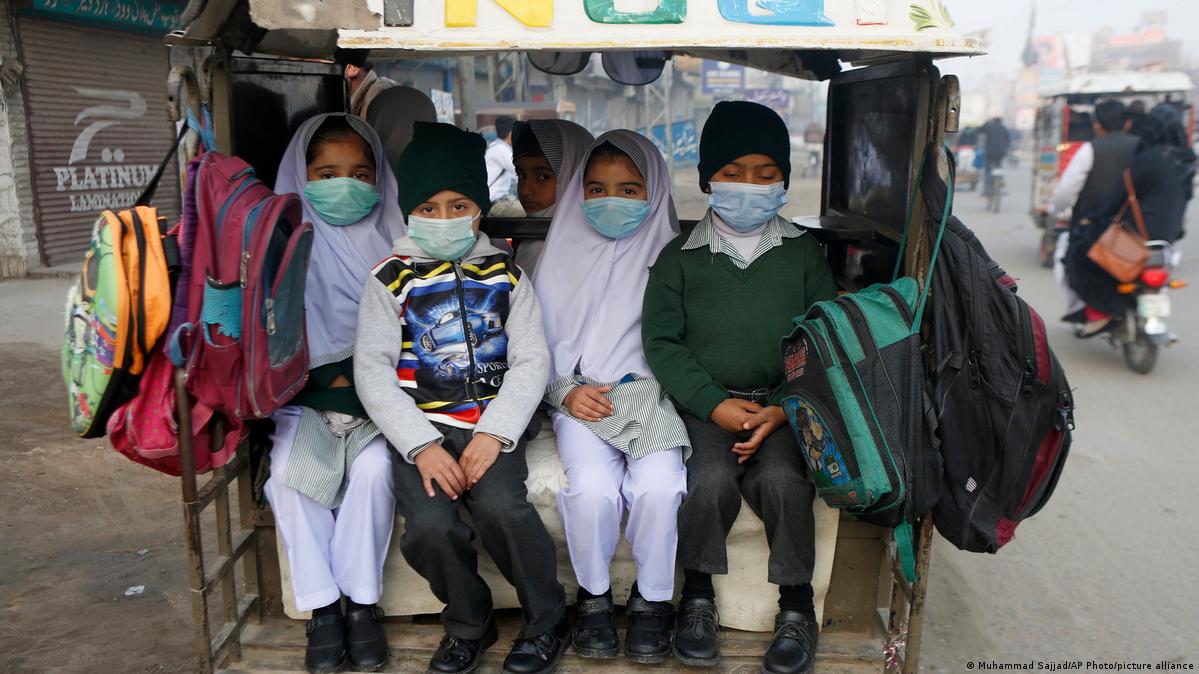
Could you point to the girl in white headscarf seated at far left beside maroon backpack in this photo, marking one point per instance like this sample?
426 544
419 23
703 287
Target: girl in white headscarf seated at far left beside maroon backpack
332 477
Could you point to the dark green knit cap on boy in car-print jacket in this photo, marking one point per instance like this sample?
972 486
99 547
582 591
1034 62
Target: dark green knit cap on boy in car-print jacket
442 157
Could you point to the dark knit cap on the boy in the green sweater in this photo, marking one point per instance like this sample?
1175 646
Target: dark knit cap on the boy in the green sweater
737 129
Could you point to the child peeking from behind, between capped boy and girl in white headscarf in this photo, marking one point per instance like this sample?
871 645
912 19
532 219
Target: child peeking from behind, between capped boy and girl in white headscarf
546 155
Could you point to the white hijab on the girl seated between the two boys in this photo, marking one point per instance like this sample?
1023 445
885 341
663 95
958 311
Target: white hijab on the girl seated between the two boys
592 287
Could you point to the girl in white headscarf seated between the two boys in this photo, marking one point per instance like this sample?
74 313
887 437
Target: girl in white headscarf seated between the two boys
619 437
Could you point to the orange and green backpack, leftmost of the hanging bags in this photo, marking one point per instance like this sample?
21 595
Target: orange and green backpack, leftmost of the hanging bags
116 315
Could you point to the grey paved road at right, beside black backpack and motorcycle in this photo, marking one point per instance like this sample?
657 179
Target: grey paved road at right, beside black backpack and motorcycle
1110 570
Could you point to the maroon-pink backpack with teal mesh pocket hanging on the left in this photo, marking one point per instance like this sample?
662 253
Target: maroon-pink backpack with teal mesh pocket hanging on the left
244 342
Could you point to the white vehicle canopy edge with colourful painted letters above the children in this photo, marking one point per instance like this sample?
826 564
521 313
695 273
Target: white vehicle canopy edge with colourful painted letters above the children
804 39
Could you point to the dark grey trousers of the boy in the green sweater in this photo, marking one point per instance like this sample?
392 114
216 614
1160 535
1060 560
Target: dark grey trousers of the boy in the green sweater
774 483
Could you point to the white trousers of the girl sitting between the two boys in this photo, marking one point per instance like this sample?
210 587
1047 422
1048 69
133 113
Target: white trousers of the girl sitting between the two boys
602 484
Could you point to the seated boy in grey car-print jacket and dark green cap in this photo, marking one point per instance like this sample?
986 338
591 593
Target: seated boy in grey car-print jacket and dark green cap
451 364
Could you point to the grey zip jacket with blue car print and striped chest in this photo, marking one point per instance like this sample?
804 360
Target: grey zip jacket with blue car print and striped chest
457 344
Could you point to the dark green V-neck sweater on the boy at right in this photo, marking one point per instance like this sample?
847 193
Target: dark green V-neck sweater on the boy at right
709 327
